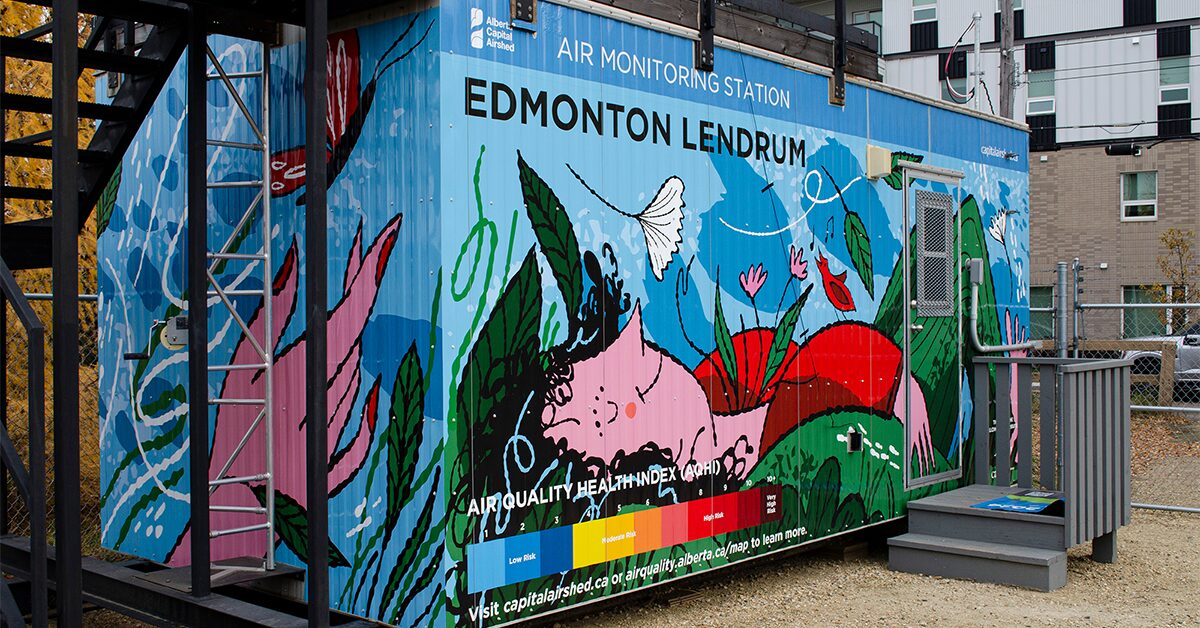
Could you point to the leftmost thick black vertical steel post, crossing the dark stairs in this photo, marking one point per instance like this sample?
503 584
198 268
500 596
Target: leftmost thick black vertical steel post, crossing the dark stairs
65 283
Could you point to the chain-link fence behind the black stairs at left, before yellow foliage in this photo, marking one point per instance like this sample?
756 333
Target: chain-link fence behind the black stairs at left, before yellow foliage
17 394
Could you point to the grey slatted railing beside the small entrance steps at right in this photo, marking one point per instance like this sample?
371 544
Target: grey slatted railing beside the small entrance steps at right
1084 428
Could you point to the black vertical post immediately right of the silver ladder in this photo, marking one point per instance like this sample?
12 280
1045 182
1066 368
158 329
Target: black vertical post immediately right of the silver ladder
316 279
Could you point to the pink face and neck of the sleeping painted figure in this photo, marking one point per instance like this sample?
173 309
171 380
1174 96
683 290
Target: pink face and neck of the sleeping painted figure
633 396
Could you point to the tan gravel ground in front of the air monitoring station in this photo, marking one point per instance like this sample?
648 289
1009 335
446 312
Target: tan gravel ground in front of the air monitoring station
1156 582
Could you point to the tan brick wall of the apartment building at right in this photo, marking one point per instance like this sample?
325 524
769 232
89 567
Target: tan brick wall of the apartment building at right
1076 212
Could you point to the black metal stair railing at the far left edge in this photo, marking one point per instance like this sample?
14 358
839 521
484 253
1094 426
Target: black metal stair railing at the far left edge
31 482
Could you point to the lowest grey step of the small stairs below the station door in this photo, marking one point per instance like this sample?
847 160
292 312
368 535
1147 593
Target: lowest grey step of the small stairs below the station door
975 560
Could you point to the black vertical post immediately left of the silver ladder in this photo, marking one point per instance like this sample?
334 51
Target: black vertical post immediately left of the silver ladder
197 300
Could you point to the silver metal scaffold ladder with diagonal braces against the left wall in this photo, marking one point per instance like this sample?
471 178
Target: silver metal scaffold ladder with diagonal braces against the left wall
259 216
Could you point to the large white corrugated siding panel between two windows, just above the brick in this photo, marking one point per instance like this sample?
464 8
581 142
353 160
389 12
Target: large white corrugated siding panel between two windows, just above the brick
1106 81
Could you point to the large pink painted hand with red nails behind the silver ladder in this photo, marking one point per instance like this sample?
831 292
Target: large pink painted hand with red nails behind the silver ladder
364 274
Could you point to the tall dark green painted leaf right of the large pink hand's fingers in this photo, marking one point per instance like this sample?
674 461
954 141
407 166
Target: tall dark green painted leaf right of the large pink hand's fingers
404 434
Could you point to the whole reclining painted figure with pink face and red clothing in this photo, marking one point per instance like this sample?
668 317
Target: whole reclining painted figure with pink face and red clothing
633 396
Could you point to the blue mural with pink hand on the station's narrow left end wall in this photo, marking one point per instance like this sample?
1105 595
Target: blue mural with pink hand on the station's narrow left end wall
386 452
